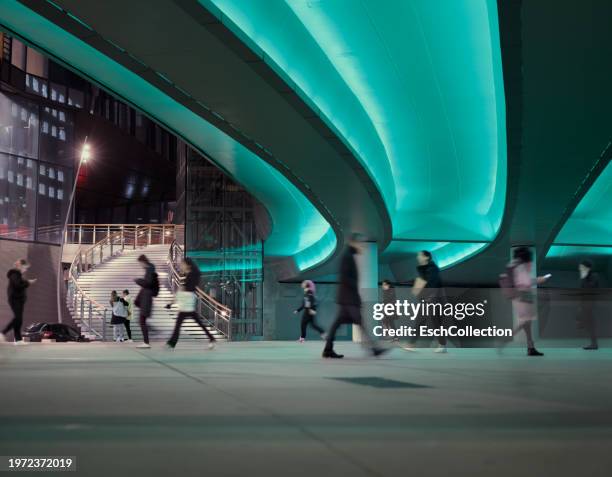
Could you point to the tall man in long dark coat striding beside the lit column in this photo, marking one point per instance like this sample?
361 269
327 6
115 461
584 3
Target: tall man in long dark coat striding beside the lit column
349 301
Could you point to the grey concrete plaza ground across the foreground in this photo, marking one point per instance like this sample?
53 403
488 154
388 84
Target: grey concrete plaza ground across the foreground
277 408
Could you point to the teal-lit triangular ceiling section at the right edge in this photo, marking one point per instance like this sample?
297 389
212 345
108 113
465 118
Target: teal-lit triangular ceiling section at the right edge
591 221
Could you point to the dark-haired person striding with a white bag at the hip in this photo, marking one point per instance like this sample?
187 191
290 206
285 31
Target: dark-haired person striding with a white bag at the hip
186 299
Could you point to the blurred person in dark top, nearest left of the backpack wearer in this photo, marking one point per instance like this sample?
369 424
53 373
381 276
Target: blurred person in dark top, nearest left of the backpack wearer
428 287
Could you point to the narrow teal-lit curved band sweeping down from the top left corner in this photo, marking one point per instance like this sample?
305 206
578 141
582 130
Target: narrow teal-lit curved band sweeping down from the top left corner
299 230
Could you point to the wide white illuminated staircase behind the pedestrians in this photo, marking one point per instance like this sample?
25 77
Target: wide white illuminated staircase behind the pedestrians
118 272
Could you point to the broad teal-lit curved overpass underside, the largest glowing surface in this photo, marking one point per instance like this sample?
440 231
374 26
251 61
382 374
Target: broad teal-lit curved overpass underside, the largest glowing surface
413 87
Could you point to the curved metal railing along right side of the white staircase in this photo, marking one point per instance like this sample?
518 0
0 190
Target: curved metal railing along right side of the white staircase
217 314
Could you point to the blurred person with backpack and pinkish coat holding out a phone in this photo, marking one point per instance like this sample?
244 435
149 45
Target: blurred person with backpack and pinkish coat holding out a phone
519 287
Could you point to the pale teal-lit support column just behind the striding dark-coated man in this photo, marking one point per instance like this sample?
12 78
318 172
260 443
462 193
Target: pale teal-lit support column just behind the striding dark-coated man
367 266
